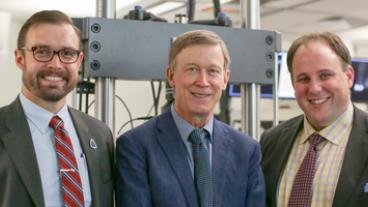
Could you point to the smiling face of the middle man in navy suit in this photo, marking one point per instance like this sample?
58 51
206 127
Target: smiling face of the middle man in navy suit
198 80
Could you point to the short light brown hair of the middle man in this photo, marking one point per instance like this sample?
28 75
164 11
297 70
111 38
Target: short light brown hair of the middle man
197 37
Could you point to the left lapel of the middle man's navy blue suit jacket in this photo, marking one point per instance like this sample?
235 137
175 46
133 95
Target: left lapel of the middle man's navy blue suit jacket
170 141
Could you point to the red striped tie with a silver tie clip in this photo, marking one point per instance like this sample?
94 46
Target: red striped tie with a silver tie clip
70 179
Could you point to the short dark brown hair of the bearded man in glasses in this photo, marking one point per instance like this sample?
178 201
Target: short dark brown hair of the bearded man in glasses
46 17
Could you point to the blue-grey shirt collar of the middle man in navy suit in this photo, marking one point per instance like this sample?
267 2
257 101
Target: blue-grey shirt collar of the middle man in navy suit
185 128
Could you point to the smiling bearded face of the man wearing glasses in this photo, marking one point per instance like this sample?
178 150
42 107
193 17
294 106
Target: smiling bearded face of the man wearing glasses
48 82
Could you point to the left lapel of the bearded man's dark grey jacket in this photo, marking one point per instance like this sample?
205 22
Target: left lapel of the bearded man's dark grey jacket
18 142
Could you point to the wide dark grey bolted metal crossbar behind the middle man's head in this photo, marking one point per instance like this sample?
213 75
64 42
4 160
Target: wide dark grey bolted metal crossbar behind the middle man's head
130 49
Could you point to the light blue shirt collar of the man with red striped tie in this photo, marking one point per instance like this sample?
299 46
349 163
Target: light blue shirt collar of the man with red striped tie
39 116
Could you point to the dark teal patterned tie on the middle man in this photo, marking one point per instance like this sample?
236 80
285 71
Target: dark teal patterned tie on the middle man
202 169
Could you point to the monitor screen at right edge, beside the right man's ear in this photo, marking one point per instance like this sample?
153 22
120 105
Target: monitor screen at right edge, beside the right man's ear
359 91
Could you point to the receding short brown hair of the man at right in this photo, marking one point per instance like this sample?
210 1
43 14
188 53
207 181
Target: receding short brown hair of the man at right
333 41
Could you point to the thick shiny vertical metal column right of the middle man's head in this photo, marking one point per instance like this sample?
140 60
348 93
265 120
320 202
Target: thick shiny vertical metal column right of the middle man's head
250 92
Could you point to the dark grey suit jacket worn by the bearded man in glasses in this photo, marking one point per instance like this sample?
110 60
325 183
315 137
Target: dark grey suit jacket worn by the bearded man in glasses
20 181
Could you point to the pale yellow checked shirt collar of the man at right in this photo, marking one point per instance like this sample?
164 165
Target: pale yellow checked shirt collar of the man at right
330 133
